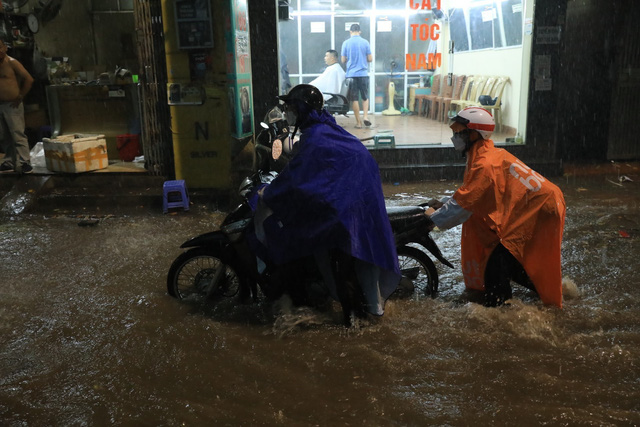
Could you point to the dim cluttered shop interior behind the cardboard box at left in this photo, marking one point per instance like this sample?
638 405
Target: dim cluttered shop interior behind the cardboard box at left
84 83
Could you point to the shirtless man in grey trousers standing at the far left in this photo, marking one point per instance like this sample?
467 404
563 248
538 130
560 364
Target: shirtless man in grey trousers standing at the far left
15 83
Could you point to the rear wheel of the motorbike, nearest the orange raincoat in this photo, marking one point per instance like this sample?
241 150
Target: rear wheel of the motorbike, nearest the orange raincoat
418 268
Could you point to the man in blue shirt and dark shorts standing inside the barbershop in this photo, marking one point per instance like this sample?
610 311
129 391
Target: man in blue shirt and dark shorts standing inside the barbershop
356 53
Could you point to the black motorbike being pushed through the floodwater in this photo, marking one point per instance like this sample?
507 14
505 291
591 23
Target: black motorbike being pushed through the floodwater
220 264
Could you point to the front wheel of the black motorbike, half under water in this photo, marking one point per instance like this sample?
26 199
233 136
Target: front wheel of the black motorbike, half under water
202 273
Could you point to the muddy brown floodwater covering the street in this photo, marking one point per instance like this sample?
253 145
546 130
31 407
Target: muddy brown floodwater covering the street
89 336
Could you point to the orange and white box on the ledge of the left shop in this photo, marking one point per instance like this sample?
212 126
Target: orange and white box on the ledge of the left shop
75 153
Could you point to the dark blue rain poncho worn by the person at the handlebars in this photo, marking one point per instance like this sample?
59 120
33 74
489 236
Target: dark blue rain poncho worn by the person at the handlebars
330 196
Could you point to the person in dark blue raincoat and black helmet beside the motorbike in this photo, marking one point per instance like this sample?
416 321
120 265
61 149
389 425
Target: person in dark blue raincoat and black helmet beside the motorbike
328 202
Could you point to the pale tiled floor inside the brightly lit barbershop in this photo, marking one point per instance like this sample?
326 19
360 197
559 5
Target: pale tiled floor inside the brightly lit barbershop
407 130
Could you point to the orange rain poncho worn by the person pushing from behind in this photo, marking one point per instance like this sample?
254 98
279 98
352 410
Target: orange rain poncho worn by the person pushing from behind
515 206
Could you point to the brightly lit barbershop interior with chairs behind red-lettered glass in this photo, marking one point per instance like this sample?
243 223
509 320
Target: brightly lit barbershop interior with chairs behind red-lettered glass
481 50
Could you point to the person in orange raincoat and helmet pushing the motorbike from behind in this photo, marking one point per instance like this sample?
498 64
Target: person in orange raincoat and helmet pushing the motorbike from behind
512 217
